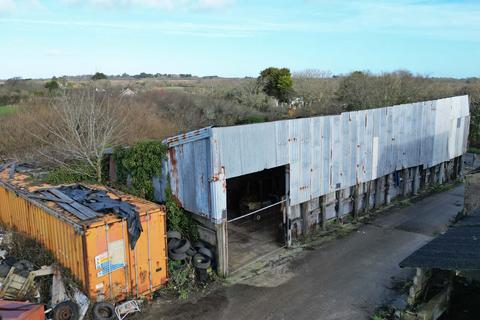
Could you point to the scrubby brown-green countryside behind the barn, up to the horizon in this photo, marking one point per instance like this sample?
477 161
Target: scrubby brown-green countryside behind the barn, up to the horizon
184 102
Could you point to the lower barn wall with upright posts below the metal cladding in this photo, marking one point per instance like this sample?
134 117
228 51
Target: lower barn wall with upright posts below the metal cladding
353 202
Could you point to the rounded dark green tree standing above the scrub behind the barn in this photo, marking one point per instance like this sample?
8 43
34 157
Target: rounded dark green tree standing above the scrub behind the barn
277 83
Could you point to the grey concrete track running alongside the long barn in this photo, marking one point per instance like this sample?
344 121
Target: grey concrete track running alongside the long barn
347 278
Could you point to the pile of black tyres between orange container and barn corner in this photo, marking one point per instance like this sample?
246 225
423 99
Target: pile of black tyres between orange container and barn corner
199 254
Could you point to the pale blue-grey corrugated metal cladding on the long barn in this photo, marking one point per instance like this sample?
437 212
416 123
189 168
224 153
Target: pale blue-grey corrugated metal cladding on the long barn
325 154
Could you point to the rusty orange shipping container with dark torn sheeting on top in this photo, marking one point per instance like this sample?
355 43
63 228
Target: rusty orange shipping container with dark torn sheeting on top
96 251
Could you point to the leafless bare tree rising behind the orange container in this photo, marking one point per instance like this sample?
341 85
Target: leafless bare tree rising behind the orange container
85 124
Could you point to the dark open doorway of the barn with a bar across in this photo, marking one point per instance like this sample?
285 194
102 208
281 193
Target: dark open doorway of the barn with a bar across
256 215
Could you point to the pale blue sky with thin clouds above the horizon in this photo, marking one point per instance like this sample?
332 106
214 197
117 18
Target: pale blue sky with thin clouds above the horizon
42 38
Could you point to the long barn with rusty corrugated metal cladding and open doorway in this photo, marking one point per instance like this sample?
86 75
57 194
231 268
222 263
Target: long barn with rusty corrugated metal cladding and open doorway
257 187
